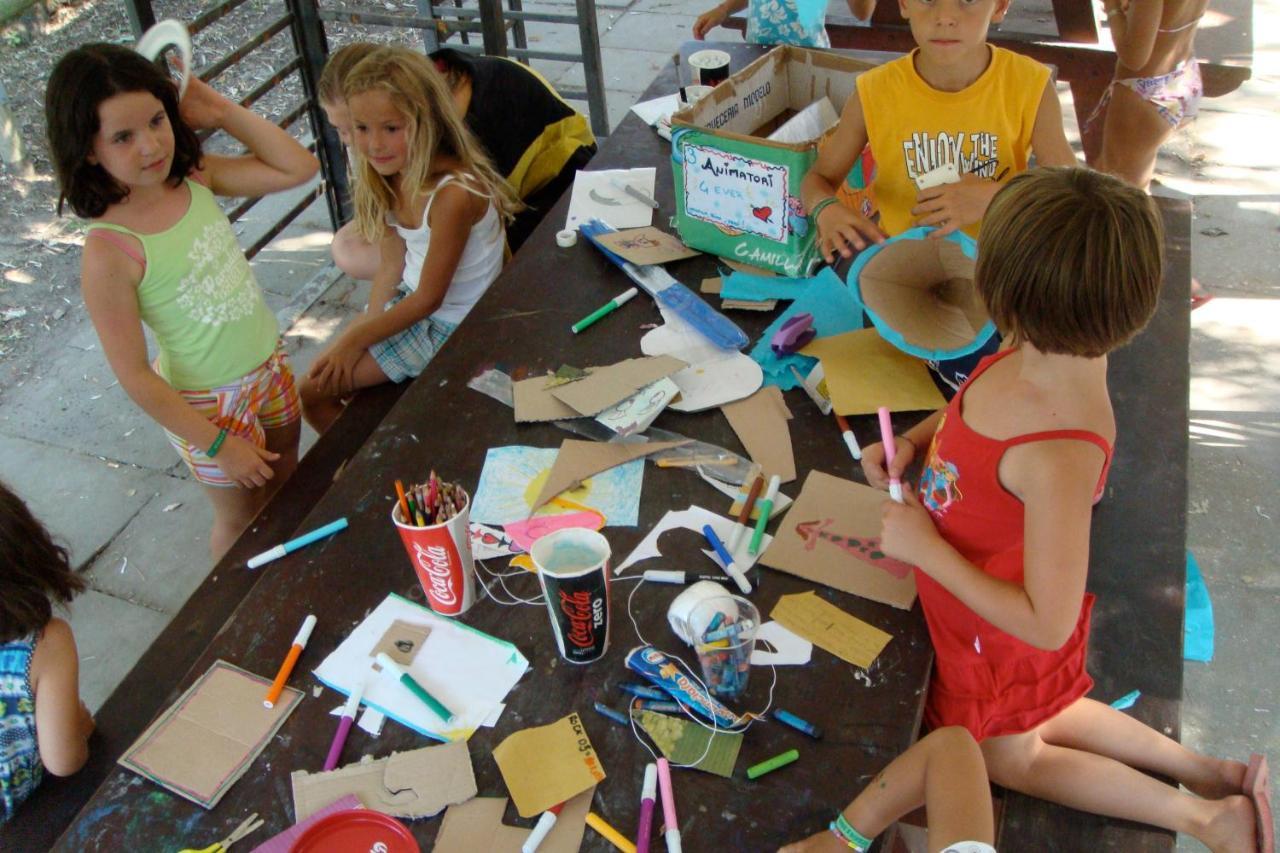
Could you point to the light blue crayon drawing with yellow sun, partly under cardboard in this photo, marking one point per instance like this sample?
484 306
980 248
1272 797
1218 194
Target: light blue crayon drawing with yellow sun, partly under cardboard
514 477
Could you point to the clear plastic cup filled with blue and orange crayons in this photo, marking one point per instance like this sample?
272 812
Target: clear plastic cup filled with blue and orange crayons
724 637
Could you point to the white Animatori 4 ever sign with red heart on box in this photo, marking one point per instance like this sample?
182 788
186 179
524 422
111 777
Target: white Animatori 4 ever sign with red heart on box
737 193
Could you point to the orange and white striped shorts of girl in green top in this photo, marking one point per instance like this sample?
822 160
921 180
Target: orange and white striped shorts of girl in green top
264 399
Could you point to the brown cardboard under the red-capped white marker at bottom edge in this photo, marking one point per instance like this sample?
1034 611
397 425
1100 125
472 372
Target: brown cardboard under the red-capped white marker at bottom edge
477 827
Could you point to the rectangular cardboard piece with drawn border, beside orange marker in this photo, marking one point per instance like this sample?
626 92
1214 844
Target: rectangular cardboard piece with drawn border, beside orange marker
205 741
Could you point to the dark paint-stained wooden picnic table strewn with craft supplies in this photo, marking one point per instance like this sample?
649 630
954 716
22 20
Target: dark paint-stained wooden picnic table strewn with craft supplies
442 425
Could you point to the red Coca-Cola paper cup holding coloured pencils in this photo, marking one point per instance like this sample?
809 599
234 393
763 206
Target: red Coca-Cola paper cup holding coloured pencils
442 559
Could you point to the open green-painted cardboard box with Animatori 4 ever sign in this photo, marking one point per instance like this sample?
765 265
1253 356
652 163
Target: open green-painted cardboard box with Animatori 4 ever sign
738 194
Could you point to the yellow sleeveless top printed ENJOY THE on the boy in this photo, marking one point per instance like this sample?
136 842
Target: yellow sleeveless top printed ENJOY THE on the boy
913 129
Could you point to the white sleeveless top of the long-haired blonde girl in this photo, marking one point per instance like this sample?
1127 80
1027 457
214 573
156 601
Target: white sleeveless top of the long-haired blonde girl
479 266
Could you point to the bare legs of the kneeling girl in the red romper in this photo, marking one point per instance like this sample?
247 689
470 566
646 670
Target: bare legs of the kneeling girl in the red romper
1086 758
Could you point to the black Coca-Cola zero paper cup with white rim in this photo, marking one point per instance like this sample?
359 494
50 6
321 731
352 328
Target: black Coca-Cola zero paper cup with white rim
574 572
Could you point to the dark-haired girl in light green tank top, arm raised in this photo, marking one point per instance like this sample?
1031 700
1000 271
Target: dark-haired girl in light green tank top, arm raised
162 253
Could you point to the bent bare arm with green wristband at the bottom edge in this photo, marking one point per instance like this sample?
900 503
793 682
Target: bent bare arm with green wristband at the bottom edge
943 772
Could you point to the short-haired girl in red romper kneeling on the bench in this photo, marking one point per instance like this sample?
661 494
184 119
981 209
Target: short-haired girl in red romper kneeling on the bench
1069 268
